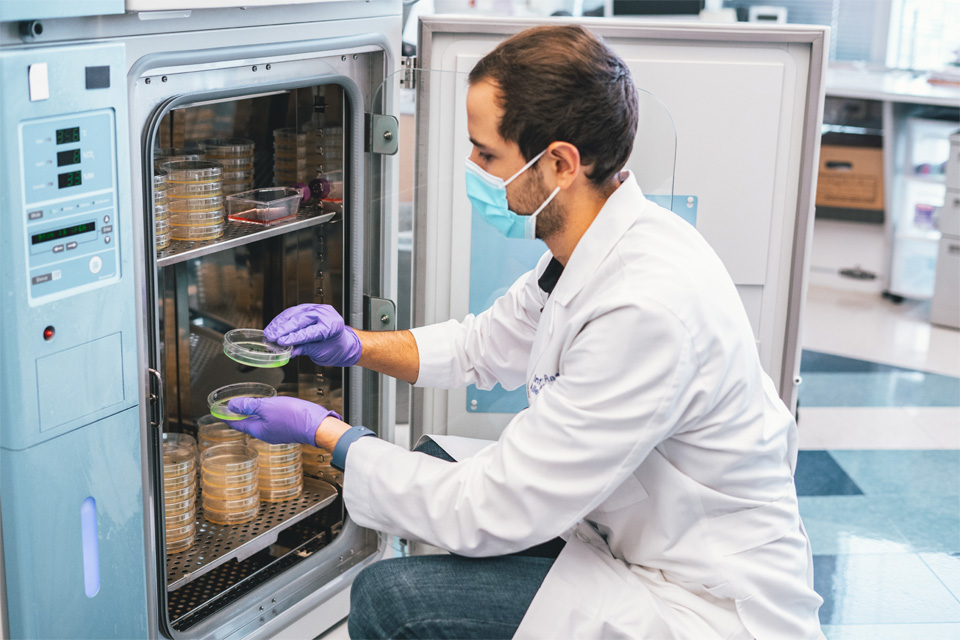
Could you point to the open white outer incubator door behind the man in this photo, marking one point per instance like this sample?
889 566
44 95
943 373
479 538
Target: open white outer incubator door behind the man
740 171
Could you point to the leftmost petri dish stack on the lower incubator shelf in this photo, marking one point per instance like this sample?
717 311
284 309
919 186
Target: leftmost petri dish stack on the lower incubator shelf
179 495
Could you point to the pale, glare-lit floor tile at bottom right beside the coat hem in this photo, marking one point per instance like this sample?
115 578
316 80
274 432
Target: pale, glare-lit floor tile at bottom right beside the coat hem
881 589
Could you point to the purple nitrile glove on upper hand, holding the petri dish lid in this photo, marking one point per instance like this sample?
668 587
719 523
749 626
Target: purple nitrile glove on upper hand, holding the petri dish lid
317 331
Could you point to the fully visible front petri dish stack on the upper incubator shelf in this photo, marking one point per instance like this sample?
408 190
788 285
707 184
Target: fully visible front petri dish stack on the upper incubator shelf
195 199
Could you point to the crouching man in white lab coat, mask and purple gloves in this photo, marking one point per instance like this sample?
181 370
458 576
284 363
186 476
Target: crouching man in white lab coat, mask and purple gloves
654 444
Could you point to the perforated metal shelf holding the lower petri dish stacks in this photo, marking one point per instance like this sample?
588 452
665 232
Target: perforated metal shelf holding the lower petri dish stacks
216 544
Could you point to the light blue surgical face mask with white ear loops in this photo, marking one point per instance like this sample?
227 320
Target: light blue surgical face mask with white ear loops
488 195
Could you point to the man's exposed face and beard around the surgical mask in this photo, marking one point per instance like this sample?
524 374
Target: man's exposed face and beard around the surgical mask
503 159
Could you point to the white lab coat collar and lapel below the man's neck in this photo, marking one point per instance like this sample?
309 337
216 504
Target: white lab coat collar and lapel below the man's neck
619 212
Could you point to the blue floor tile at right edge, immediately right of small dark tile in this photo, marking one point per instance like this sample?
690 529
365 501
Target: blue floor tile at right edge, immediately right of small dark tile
902 472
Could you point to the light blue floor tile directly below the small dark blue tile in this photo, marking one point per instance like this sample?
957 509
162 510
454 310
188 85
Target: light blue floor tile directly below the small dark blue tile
851 524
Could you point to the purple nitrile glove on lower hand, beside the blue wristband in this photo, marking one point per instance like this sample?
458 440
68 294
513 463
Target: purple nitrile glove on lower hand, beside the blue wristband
280 420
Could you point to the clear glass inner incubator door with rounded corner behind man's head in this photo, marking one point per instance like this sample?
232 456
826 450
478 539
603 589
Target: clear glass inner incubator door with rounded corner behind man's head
458 263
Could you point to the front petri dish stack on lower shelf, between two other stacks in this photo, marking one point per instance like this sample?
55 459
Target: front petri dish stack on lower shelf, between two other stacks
230 483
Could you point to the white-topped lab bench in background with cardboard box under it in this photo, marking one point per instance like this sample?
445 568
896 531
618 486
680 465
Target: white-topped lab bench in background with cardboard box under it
910 120
